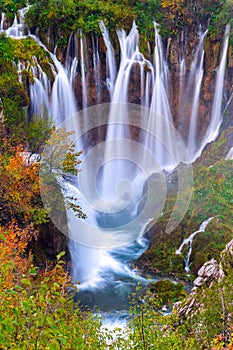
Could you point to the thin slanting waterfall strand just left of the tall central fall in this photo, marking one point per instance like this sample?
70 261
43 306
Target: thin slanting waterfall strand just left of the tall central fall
110 60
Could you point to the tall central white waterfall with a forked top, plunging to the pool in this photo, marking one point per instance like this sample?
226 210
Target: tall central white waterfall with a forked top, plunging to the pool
130 56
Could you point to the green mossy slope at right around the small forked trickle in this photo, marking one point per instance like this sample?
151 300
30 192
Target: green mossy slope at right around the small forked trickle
212 197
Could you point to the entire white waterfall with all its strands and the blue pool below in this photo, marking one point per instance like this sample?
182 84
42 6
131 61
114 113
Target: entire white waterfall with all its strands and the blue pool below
122 185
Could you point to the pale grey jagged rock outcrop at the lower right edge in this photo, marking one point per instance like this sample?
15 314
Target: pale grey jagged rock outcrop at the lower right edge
211 272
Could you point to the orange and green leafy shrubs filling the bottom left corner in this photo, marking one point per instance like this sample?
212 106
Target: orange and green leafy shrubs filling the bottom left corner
36 309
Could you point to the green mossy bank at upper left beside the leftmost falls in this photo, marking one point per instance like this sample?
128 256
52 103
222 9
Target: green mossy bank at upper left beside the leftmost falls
13 93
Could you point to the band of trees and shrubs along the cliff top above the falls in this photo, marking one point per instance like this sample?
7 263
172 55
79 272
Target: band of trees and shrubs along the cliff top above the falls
62 17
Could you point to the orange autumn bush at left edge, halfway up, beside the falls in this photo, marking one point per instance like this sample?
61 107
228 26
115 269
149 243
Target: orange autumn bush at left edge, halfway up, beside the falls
19 191
